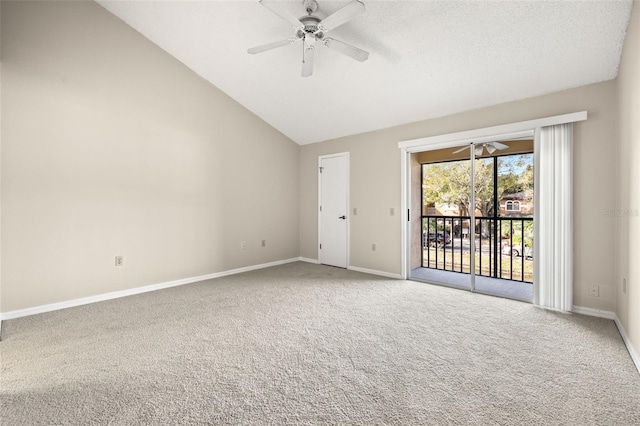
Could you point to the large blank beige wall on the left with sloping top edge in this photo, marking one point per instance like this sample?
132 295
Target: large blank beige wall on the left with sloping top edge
112 147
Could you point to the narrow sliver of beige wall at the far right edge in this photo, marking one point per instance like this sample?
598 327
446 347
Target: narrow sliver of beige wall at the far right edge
627 213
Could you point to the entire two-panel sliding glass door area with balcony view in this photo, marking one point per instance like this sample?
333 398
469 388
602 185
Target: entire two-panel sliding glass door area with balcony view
478 233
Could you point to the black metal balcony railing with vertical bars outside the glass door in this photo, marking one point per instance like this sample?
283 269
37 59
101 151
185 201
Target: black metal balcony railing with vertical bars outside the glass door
503 246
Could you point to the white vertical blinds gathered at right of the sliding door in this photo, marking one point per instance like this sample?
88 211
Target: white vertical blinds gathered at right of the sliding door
554 227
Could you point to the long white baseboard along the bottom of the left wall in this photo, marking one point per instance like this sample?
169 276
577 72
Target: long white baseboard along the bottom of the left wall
130 292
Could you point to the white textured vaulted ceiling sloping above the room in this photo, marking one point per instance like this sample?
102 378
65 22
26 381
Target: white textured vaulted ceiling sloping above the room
427 58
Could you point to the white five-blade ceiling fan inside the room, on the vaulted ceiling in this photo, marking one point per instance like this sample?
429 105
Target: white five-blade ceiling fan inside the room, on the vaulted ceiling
311 30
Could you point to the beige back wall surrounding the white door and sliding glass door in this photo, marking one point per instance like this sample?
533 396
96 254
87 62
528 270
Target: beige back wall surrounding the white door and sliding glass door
375 183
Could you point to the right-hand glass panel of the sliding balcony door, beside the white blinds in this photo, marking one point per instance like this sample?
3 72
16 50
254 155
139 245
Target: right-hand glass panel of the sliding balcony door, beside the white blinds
504 223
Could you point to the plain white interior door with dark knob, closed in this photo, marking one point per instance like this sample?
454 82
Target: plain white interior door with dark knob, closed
333 209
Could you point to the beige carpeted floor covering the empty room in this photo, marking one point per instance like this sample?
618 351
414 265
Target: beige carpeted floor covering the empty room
309 344
